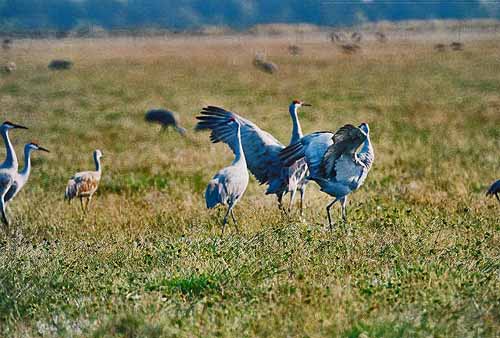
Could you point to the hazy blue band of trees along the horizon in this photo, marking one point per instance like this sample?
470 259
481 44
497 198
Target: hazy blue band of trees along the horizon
65 15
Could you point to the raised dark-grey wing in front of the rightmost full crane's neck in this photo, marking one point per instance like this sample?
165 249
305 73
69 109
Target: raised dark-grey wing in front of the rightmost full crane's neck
345 142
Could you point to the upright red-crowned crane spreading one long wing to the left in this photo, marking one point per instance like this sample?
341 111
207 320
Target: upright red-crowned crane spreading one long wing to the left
261 150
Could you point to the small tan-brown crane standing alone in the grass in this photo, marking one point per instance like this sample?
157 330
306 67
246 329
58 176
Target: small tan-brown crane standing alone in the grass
84 184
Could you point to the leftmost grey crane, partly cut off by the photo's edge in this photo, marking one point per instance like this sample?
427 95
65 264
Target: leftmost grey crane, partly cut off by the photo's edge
8 169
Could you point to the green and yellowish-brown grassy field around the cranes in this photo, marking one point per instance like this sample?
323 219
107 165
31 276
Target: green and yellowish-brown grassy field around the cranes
419 256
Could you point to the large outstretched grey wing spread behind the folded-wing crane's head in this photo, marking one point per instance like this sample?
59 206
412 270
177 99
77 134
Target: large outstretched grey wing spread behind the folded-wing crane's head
261 148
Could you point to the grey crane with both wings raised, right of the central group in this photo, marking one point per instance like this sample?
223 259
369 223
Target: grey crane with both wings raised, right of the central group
333 161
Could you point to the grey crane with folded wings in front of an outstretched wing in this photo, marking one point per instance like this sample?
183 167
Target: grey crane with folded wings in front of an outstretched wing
229 184
